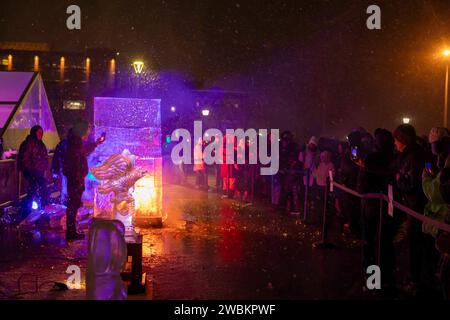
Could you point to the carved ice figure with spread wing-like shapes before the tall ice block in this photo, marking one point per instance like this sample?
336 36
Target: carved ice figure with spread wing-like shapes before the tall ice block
119 175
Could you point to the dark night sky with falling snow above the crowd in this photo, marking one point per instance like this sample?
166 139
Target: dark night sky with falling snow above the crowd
306 58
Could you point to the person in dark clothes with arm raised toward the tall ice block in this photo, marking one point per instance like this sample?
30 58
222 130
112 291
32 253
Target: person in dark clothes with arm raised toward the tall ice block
75 168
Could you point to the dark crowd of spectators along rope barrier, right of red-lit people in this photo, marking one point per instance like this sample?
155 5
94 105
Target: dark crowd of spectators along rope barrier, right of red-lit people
418 169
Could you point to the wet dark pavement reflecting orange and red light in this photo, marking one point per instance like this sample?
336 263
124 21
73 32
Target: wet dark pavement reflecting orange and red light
223 251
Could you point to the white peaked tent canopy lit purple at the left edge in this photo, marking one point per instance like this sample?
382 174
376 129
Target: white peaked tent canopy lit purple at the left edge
24 104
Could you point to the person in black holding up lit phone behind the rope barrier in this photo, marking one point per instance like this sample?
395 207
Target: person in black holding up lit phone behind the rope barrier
375 176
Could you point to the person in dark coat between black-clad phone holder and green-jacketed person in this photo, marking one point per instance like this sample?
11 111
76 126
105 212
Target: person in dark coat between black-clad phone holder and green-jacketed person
410 163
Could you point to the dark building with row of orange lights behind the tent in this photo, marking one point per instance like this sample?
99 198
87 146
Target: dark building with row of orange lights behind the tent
72 79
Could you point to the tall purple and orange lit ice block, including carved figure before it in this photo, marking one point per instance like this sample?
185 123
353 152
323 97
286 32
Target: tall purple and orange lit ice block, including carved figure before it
133 130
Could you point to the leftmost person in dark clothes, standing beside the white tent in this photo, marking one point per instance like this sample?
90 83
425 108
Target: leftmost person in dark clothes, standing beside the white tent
33 162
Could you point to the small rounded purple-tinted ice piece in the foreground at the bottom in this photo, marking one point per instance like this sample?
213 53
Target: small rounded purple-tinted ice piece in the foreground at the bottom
107 255
